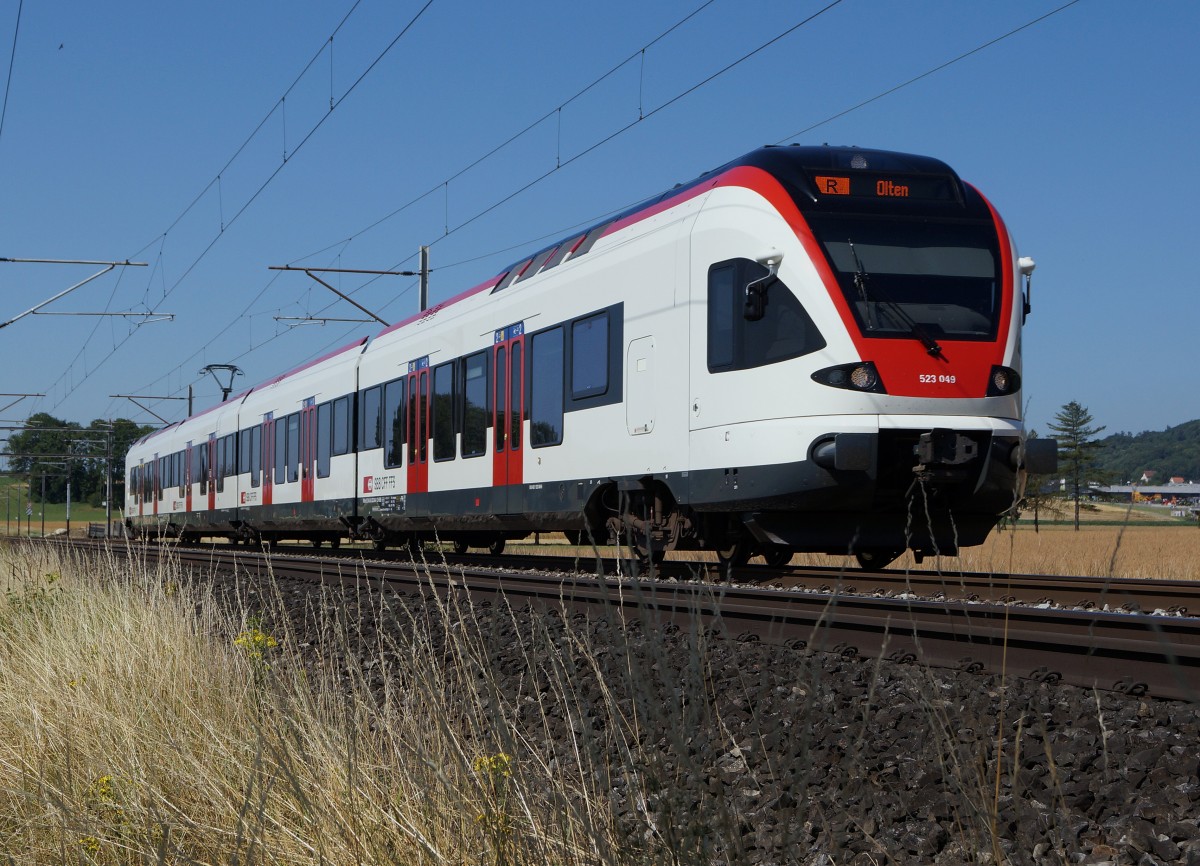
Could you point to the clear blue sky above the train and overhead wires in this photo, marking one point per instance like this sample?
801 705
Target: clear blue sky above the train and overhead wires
130 134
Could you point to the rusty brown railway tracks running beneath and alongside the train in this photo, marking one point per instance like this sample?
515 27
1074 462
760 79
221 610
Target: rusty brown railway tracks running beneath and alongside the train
1127 651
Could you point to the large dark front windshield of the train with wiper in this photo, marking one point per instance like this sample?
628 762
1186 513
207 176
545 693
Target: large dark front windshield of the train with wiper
919 280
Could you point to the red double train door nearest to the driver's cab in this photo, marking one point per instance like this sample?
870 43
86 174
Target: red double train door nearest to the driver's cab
508 412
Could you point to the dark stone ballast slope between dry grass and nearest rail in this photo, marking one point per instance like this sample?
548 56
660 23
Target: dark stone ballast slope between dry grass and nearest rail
710 750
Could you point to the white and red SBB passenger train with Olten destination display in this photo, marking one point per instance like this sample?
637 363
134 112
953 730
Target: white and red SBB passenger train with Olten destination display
807 350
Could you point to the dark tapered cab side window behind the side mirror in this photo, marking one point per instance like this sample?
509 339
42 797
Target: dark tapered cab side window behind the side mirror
785 330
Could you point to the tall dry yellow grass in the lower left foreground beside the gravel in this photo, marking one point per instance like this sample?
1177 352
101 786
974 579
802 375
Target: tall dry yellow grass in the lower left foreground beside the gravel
141 725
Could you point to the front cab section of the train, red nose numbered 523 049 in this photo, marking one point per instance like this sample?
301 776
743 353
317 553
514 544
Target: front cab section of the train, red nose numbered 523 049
886 416
